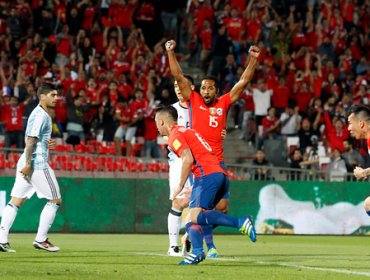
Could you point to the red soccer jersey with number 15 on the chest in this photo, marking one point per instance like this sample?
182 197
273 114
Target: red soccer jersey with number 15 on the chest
210 121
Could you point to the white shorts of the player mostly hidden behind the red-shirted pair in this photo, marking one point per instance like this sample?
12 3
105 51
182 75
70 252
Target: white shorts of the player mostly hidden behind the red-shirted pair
175 166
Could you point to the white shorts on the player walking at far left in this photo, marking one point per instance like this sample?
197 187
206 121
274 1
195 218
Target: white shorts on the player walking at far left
43 182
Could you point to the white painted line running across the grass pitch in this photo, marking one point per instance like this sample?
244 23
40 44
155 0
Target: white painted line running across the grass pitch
343 271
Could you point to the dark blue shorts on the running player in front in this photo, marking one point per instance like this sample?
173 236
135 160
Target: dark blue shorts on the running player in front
209 190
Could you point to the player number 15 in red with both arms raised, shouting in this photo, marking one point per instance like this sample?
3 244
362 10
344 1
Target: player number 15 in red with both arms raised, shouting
207 112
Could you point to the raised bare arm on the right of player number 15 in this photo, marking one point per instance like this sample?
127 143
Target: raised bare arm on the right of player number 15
247 75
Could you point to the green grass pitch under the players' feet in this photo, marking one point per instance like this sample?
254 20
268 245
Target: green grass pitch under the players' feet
129 256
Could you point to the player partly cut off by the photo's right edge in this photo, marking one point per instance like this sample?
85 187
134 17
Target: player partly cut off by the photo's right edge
359 127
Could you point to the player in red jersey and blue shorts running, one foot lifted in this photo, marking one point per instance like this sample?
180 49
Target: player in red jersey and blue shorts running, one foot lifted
209 183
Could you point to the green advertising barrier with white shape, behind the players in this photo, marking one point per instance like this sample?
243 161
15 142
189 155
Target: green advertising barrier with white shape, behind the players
119 205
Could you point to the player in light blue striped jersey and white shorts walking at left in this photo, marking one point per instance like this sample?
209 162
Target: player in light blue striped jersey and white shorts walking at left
34 174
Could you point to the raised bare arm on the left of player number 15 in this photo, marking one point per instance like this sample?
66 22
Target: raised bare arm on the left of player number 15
185 87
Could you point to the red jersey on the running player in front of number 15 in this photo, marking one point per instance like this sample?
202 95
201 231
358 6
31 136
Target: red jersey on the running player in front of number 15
205 162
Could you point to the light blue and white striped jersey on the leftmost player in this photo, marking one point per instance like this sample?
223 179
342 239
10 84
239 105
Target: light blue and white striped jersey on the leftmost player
39 125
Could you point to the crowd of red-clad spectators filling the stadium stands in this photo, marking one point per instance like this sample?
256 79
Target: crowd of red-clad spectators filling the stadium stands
107 58
